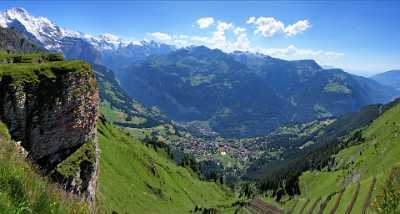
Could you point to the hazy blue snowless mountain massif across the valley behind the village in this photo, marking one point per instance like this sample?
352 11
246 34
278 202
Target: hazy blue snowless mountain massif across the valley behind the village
246 94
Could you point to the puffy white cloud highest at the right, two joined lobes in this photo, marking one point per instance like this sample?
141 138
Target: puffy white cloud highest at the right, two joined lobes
269 26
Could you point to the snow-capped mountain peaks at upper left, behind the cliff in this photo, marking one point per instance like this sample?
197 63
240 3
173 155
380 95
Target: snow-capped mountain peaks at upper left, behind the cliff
107 49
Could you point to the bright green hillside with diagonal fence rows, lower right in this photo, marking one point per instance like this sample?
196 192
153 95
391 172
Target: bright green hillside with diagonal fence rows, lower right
361 176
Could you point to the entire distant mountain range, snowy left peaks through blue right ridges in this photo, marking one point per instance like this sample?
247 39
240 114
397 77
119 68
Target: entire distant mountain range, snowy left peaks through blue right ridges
235 94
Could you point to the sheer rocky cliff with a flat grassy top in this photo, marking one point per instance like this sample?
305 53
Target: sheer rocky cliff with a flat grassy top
52 108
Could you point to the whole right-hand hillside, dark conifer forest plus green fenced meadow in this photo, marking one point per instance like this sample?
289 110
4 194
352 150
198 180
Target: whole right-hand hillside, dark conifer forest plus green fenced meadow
348 171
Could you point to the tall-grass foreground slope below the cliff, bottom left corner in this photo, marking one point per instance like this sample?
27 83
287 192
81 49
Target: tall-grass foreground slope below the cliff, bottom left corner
22 190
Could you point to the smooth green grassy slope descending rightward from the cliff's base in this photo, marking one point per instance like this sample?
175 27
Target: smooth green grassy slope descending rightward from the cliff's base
138 179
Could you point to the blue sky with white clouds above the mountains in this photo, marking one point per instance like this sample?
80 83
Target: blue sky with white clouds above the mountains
361 37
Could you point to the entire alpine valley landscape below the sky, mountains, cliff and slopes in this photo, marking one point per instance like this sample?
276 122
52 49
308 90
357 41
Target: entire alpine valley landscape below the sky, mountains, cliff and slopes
100 124
